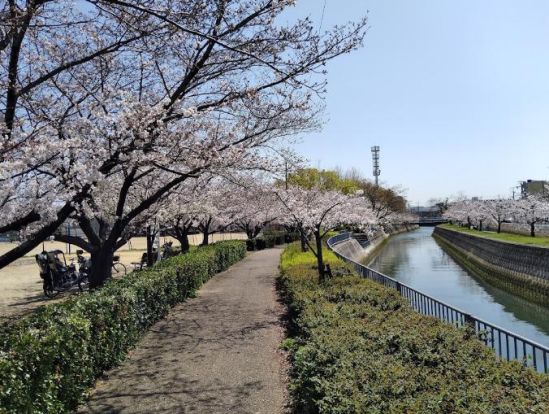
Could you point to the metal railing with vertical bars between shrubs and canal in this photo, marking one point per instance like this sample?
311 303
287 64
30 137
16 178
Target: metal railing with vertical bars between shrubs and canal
507 345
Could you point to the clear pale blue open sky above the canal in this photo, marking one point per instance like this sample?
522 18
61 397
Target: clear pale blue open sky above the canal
456 93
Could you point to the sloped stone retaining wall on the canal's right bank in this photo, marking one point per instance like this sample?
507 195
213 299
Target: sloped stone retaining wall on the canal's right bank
522 269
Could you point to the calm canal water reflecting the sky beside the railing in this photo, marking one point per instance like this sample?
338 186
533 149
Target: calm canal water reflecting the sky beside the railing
416 260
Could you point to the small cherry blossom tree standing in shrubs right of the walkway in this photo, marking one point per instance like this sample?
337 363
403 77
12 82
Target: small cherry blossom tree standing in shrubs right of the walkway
317 212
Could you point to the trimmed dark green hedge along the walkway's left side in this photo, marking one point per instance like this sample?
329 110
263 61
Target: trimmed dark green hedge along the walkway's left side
49 359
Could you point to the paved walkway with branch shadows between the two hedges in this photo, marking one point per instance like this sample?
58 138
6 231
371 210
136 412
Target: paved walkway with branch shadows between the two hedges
217 353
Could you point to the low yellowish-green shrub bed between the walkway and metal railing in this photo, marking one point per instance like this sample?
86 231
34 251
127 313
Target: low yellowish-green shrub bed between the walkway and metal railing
357 347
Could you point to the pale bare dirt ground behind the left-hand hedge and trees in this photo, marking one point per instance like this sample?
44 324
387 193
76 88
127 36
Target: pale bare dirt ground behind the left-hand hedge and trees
21 286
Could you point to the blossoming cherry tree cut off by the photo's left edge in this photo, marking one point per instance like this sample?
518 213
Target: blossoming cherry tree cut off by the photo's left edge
53 57
